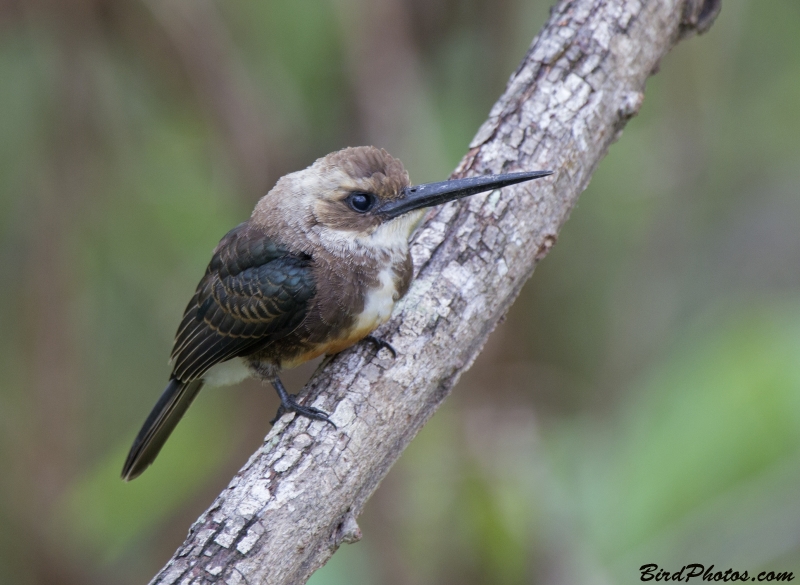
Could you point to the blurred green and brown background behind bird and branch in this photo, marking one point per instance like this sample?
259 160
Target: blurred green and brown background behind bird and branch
641 404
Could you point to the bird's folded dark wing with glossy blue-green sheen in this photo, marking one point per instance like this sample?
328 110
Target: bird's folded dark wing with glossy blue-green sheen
253 292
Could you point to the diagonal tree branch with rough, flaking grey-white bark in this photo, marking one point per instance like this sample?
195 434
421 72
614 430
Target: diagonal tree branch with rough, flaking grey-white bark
296 500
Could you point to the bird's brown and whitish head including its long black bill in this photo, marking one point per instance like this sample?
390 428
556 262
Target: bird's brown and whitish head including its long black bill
363 195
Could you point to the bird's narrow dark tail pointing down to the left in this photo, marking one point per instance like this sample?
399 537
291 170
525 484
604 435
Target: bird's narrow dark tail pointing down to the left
159 425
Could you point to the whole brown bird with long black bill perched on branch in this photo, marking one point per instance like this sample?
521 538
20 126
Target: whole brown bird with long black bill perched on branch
317 267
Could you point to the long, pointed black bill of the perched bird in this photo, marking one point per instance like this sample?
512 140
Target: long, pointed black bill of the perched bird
431 194
